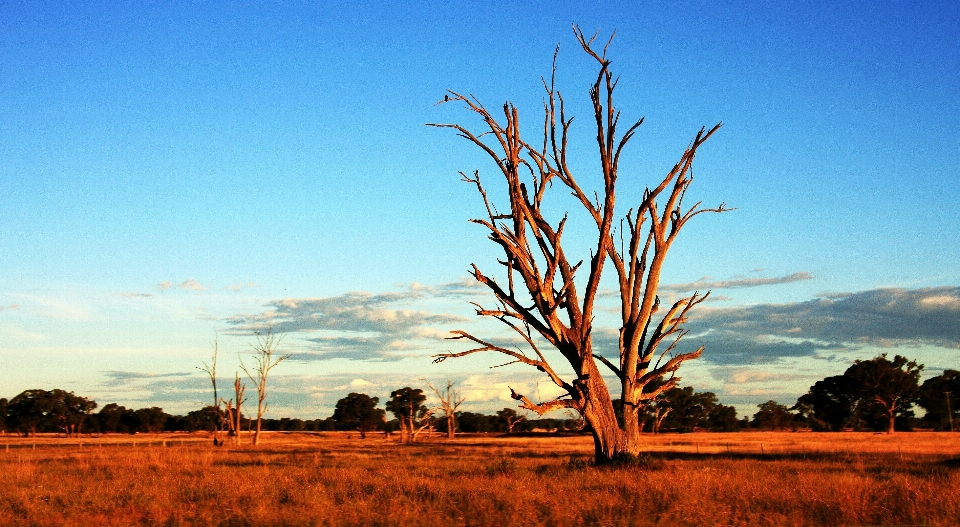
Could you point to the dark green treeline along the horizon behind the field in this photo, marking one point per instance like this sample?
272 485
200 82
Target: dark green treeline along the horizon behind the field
877 394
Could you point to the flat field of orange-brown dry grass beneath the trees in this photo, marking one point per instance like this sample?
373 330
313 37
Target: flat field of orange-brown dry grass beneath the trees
332 479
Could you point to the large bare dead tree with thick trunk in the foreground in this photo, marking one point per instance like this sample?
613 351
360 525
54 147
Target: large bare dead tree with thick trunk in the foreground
544 299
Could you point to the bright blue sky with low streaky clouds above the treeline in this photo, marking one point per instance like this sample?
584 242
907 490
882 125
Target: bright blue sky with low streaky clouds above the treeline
172 173
